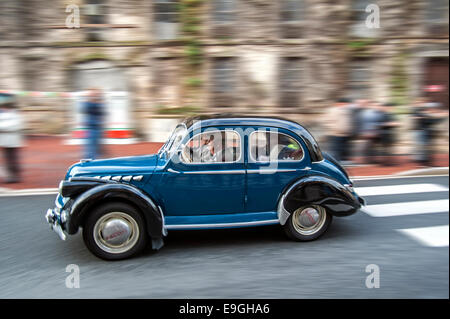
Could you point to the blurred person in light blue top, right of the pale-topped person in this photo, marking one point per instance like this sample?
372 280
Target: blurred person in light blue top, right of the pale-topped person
370 119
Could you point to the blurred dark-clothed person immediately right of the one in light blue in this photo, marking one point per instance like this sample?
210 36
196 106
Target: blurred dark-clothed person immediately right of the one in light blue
386 137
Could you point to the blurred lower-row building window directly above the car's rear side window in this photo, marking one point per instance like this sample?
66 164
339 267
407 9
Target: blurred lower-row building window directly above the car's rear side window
290 82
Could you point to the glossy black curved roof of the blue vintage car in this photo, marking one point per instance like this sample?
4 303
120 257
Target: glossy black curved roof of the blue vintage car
197 122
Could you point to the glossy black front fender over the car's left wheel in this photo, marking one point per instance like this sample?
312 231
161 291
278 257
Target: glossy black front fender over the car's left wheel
116 191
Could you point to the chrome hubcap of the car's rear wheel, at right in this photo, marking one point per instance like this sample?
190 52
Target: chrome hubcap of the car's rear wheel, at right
308 220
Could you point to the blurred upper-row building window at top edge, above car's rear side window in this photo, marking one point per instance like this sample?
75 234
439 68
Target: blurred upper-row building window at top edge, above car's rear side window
291 15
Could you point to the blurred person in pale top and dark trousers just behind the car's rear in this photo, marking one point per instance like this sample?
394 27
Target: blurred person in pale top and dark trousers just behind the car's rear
339 126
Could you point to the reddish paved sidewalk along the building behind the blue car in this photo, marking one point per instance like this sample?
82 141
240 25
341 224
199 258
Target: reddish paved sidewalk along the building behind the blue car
45 160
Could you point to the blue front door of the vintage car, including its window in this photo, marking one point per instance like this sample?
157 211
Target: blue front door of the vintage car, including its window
208 177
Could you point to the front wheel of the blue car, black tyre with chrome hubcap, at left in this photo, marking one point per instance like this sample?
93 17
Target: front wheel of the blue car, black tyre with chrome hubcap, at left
115 231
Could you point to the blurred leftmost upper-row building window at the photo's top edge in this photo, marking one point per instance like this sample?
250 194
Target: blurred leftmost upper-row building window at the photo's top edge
94 13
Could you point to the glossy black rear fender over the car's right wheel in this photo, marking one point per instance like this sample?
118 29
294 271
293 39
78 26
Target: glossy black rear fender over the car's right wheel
318 190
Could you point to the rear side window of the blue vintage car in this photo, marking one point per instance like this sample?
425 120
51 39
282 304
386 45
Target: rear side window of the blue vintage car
268 146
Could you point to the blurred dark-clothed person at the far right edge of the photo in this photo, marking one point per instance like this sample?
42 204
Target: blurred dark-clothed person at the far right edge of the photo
426 117
